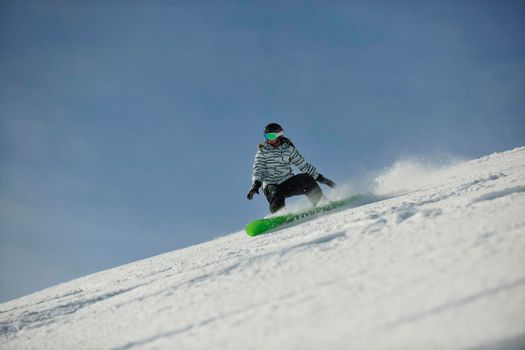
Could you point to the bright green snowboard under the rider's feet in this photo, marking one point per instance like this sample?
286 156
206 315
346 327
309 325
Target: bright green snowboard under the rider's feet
261 226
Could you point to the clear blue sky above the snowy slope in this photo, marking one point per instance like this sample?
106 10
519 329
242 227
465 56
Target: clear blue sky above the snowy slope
128 128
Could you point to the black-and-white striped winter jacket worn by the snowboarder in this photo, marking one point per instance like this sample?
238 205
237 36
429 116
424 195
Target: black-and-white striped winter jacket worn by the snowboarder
273 165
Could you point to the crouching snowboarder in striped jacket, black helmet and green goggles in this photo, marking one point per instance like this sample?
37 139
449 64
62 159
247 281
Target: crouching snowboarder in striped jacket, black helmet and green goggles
272 169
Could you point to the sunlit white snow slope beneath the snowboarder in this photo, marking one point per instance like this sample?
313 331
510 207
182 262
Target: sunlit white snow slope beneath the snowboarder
439 267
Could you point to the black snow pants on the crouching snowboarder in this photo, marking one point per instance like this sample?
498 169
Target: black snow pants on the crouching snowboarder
294 186
